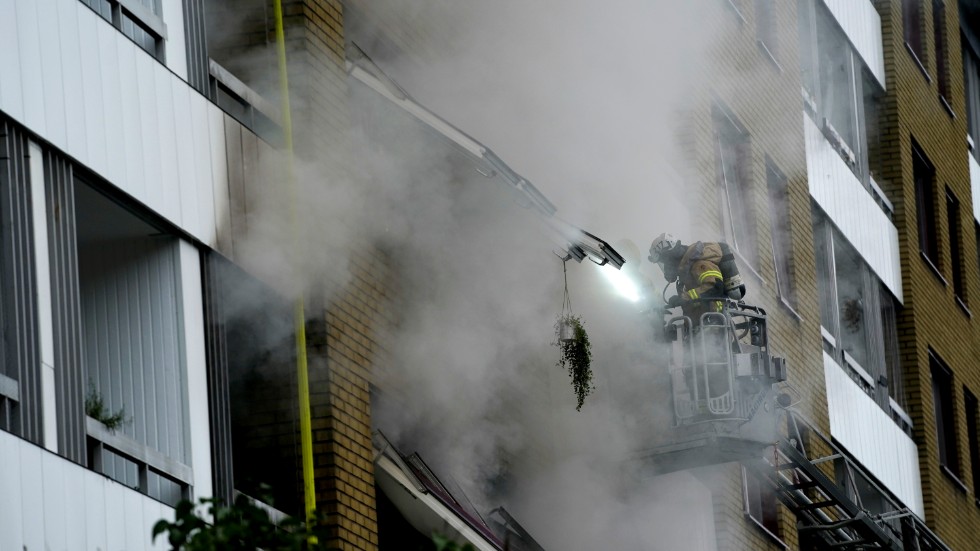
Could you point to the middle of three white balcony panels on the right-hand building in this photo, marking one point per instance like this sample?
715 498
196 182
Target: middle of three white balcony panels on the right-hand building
852 209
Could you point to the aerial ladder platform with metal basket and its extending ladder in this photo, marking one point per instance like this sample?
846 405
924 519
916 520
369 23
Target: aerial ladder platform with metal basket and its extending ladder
728 399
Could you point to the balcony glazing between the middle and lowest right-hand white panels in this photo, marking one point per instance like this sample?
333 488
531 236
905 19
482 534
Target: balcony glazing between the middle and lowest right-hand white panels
858 315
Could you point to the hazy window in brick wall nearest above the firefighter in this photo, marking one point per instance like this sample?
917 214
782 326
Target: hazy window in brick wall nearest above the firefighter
732 162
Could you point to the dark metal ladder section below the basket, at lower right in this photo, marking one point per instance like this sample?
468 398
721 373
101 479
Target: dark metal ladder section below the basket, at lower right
849 510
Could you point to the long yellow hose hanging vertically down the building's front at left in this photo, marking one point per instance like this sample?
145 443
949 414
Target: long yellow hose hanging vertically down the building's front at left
299 316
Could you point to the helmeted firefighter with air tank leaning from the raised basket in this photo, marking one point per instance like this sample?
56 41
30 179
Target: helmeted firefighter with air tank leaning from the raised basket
697 270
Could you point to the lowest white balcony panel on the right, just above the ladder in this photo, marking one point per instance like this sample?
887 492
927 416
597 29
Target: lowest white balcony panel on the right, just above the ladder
868 432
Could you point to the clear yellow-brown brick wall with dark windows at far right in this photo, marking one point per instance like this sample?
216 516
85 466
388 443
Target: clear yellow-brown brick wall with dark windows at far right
932 318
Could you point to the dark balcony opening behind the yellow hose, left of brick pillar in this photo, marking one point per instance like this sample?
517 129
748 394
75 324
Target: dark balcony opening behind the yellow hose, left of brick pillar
252 382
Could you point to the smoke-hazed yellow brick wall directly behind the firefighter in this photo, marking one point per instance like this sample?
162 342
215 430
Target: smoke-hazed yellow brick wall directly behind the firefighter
763 94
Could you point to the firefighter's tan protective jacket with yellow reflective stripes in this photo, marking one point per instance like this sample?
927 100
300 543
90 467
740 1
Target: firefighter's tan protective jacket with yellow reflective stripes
700 276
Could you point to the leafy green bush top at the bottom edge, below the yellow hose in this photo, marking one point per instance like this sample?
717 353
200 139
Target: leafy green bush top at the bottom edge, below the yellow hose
242 526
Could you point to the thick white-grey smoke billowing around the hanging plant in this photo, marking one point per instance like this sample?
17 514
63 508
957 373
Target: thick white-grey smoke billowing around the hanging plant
588 101
